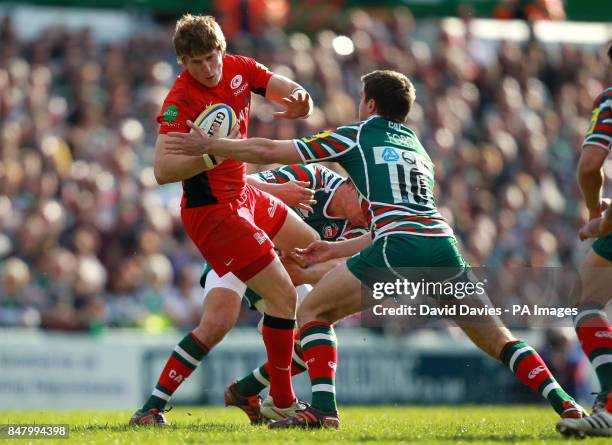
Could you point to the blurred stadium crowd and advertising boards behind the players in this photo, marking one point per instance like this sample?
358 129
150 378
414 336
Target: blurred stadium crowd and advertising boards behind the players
96 272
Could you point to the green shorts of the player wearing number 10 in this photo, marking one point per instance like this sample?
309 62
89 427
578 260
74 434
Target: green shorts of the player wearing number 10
410 257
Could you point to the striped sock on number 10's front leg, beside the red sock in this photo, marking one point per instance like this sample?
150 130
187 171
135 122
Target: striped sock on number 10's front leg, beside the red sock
321 357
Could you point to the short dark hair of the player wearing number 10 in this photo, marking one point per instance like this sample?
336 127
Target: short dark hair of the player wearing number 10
392 91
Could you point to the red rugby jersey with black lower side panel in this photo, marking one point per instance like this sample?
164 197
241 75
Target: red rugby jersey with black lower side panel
188 98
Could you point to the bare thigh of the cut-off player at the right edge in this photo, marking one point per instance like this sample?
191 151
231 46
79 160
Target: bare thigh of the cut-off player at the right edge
596 274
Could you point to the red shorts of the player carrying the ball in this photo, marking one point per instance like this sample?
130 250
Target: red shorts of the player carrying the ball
236 236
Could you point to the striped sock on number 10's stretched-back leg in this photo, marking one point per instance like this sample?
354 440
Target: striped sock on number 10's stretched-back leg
530 369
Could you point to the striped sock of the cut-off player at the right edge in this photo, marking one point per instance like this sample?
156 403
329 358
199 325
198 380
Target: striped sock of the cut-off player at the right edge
595 334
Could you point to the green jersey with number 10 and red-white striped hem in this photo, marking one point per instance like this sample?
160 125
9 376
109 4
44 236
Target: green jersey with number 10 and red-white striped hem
391 170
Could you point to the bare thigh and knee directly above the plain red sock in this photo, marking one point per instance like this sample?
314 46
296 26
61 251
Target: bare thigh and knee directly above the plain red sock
274 286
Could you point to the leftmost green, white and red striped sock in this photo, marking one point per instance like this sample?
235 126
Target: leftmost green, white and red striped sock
185 358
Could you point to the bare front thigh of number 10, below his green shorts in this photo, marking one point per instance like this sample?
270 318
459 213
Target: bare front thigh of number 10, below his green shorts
335 297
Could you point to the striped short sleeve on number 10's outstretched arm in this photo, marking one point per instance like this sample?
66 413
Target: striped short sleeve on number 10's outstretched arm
330 145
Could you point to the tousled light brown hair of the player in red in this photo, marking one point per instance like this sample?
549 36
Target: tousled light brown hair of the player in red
195 35
